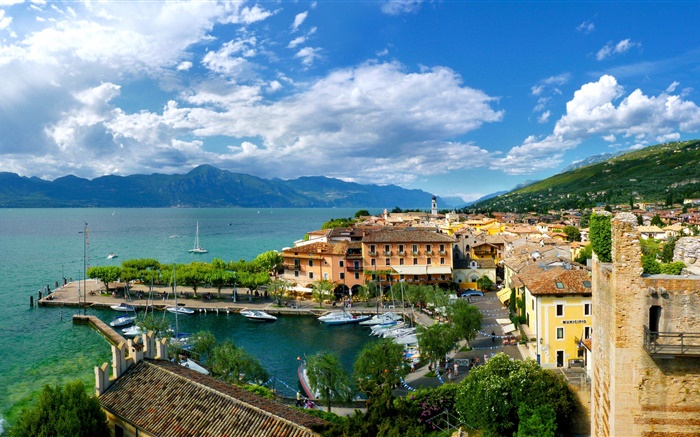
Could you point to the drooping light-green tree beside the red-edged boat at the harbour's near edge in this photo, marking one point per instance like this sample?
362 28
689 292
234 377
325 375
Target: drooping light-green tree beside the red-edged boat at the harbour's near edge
328 378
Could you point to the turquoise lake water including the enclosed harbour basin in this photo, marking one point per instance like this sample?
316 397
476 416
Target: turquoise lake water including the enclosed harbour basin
38 246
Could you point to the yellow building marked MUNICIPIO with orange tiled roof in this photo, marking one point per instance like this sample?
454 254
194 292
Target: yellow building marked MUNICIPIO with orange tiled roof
557 309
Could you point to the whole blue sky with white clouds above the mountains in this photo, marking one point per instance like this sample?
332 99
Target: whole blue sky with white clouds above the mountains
457 98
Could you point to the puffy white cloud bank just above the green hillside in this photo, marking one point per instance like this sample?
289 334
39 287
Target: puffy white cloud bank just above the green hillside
593 111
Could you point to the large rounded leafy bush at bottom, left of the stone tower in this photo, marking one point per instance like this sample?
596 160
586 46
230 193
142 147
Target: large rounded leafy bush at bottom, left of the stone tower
490 396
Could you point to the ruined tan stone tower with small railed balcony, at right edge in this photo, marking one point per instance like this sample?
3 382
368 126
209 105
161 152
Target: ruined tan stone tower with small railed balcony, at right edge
645 345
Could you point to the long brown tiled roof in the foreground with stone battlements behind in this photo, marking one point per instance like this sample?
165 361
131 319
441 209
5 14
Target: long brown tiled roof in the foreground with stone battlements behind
167 400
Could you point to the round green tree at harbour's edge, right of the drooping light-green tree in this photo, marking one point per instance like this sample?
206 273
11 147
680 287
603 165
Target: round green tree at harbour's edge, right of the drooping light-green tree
378 364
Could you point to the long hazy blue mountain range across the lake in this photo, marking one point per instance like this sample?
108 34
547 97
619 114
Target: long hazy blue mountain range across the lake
204 186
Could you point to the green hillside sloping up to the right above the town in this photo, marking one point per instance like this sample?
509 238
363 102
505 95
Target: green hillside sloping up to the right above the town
666 173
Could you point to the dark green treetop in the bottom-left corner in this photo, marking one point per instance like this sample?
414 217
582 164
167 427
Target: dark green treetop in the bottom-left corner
63 411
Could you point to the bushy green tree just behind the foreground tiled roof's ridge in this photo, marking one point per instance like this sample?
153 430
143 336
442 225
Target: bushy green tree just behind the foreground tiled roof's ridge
233 365
